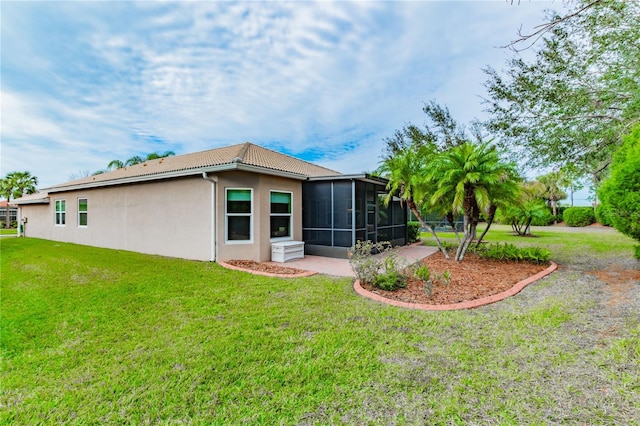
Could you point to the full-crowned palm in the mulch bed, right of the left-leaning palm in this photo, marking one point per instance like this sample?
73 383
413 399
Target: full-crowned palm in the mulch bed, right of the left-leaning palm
472 172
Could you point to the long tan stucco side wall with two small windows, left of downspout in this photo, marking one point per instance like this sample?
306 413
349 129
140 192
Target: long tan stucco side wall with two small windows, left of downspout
169 218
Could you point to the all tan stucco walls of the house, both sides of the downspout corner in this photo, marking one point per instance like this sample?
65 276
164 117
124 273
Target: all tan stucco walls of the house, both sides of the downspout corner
169 217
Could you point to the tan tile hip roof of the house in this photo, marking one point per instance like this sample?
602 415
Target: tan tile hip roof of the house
244 154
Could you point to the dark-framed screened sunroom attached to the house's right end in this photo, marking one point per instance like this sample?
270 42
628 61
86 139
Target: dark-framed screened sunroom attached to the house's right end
337 211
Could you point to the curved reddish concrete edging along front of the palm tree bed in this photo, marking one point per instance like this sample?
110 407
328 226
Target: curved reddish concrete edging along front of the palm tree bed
469 304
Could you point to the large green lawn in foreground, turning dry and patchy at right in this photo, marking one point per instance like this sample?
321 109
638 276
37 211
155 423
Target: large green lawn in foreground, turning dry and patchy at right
92 335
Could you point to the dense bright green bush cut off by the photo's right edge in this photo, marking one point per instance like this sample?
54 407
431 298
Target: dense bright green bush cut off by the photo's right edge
620 193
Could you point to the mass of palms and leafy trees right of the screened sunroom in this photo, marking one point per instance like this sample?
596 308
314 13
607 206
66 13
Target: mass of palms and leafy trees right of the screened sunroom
574 107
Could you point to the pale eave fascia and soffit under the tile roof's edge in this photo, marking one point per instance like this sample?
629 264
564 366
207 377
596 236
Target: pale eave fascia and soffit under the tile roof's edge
177 174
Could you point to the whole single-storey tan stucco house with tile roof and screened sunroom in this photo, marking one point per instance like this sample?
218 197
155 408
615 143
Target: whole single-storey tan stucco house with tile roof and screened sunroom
222 204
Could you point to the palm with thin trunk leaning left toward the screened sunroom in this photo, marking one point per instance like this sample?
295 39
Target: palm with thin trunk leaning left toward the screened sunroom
406 171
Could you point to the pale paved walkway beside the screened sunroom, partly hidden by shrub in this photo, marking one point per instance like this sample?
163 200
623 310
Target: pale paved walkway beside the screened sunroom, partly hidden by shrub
341 267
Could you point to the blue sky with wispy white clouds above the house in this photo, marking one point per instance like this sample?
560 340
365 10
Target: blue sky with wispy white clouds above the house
83 83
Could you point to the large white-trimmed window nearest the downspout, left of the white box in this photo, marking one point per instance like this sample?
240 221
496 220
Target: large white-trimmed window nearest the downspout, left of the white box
239 215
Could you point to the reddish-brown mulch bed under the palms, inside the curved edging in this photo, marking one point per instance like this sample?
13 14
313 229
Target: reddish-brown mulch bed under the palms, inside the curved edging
471 279
